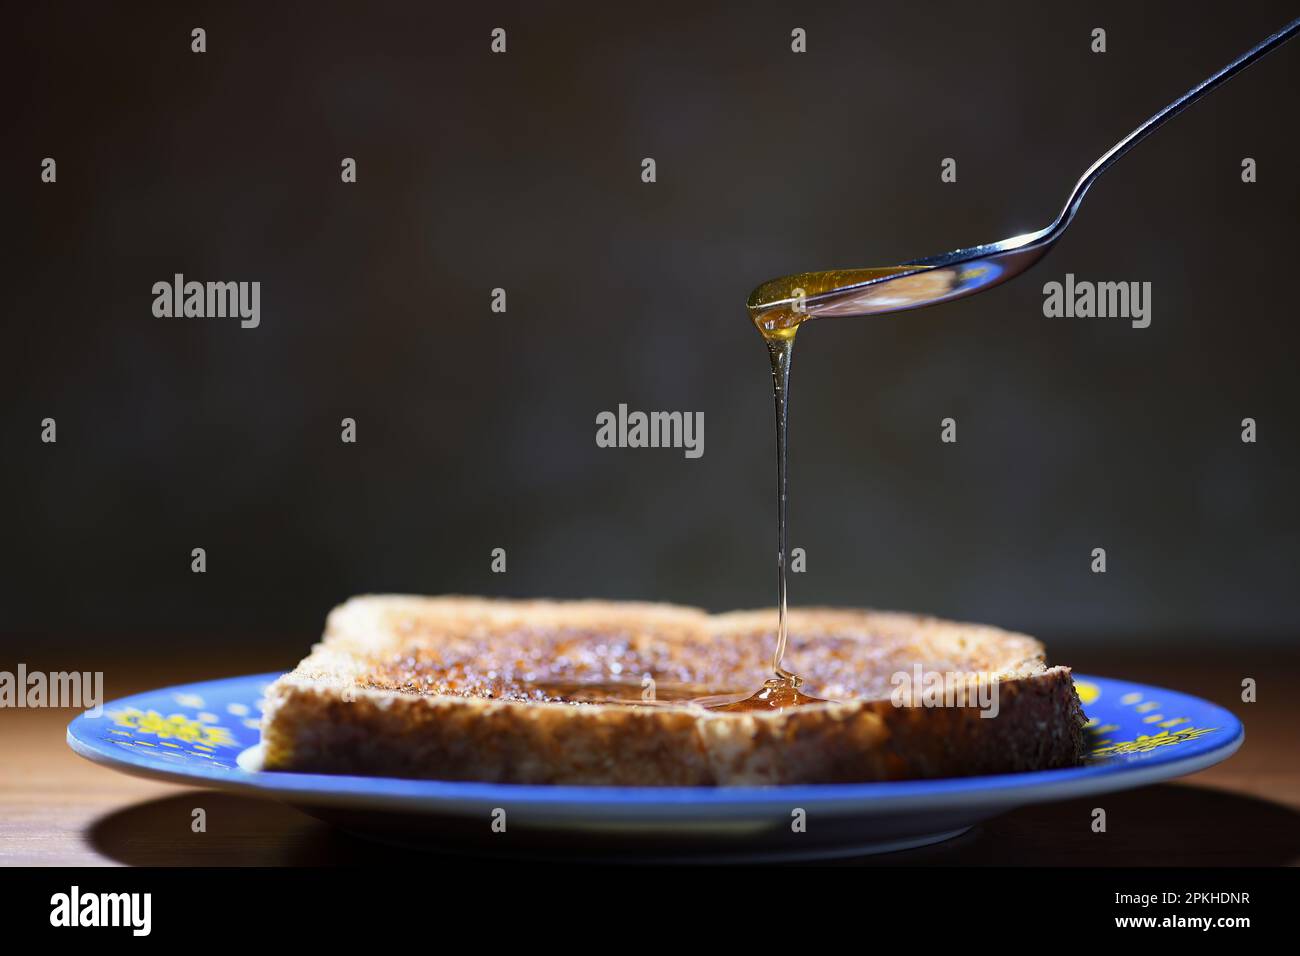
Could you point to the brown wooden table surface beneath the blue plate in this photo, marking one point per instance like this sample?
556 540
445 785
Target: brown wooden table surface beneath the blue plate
59 810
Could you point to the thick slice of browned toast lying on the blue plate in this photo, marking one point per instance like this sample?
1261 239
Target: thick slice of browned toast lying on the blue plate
466 689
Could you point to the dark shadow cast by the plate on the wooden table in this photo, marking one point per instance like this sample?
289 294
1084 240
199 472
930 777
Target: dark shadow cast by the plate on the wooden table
1155 827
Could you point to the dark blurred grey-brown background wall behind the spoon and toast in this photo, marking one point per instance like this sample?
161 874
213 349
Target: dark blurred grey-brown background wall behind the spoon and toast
476 430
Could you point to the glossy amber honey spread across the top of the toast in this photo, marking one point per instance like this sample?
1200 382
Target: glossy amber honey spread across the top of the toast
638 667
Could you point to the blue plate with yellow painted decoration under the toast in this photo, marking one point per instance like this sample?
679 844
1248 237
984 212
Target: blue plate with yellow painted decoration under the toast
207 736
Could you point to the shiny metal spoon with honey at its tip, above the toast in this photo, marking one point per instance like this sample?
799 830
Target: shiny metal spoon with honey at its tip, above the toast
781 305
